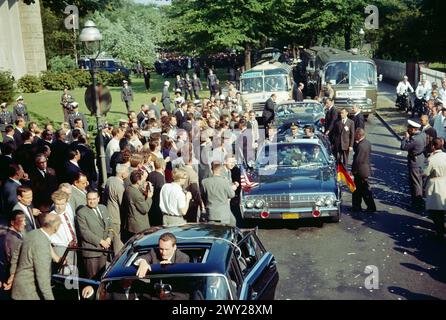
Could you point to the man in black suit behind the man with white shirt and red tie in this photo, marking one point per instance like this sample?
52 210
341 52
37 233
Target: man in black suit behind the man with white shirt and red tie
43 183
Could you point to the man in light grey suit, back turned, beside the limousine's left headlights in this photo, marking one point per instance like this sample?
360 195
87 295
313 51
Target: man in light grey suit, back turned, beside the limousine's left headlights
217 192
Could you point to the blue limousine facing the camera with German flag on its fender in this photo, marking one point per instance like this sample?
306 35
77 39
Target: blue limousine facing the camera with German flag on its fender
293 180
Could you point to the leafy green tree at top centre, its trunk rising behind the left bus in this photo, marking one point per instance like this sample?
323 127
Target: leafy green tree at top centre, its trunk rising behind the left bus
207 26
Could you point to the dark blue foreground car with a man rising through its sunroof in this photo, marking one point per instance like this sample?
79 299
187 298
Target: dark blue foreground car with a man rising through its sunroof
226 263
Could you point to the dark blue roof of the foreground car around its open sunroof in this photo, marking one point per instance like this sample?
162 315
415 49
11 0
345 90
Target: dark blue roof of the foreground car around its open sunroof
220 240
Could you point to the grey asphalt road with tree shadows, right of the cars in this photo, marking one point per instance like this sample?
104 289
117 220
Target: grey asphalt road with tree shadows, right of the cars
329 262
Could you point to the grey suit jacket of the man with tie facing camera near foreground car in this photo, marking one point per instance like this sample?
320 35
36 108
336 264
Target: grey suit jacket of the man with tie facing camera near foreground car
92 229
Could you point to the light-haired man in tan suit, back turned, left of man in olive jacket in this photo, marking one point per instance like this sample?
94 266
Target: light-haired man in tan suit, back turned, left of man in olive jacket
113 193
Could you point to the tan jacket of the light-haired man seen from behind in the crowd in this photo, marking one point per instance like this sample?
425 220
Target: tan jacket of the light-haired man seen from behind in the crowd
113 193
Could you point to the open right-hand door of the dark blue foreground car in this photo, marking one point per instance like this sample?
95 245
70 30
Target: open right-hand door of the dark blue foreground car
258 267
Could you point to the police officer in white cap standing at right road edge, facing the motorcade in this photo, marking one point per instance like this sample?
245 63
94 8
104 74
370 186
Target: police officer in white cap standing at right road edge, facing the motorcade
414 143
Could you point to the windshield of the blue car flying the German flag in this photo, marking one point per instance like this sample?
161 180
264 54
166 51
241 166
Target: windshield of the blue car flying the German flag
294 155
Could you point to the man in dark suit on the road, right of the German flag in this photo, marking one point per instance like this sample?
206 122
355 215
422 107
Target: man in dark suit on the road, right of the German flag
361 172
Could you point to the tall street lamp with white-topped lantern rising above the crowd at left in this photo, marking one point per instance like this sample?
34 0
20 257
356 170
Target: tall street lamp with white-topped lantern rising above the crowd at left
90 37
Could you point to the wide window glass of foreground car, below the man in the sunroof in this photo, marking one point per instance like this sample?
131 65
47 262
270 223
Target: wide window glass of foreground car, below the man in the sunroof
168 287
